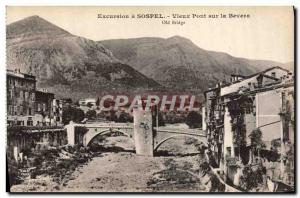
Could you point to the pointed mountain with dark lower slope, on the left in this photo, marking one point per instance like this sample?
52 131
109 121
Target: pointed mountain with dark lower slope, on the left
68 65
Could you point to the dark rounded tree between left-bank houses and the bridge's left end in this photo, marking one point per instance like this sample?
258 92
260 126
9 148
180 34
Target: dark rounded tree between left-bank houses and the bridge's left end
72 113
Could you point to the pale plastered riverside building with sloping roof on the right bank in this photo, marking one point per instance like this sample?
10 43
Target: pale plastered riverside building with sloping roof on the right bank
263 101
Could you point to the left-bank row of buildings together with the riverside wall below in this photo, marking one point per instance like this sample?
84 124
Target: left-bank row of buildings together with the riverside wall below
32 116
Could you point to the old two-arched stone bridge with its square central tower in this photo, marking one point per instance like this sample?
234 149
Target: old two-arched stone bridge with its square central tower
147 139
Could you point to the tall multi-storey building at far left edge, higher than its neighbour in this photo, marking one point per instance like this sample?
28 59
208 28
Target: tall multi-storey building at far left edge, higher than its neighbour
20 98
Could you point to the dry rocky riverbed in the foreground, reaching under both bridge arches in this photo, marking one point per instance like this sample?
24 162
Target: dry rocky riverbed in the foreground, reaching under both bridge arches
124 171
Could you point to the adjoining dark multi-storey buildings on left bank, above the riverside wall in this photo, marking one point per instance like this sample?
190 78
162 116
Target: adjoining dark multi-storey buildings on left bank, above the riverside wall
26 106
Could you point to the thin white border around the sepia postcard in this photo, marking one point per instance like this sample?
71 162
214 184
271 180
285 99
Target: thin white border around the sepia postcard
3 3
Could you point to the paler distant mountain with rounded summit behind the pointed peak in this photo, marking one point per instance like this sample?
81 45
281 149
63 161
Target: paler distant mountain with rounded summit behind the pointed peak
179 64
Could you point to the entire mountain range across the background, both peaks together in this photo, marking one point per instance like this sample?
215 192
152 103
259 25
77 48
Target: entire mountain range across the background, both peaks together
73 66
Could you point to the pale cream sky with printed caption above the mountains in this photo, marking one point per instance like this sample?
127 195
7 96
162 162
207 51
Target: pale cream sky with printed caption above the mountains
268 34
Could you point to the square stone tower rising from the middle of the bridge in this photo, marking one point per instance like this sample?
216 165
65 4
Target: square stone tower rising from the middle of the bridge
143 132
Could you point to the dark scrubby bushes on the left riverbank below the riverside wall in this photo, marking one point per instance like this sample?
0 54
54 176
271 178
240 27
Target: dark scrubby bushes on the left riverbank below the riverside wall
59 163
